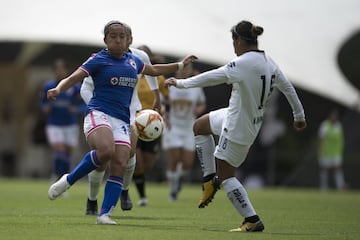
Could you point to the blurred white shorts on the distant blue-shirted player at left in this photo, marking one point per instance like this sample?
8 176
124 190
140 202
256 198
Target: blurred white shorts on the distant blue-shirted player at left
68 135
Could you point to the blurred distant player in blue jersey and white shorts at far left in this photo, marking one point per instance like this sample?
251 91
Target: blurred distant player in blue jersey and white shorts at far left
62 127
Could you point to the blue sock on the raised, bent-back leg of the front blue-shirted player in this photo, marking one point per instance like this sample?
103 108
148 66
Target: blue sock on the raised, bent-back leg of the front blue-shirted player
87 164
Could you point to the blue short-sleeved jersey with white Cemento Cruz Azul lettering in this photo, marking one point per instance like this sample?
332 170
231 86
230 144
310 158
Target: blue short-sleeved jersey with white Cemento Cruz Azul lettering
114 82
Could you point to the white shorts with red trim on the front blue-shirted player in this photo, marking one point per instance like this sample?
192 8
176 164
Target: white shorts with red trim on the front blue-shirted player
120 129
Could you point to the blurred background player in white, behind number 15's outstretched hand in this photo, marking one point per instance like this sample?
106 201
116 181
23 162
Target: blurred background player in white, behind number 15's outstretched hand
178 138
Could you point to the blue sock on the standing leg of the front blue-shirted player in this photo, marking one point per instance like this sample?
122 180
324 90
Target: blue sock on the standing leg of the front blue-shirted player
113 189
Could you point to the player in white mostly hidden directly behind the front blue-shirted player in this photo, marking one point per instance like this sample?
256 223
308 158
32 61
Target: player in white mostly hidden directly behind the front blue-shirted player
95 177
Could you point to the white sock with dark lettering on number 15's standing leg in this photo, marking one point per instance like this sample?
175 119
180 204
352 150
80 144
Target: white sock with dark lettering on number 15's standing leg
238 197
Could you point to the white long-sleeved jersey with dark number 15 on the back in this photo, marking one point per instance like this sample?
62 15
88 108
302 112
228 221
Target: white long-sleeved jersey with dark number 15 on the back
253 76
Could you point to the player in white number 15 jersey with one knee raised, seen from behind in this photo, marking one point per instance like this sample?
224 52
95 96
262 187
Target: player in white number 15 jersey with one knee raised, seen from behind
253 75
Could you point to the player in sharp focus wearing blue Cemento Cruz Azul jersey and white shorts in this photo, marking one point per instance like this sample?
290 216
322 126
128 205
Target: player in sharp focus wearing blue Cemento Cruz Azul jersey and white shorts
106 124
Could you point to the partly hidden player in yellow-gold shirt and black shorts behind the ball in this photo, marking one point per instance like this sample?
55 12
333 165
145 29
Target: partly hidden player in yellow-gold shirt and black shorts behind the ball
147 152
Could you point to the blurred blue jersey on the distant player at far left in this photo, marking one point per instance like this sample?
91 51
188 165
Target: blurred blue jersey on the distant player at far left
64 110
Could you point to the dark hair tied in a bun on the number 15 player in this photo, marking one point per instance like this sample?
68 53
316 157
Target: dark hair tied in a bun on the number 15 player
246 31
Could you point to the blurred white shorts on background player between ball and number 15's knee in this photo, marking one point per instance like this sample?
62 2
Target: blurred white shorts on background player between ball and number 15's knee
178 138
